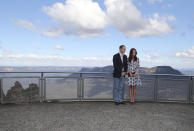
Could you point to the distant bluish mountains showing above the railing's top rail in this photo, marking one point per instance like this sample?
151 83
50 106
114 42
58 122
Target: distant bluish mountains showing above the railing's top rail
143 70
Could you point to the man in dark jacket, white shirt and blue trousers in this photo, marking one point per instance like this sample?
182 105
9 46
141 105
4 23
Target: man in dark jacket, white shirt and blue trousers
120 70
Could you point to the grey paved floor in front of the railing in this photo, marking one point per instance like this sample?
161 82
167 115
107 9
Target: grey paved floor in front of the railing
97 116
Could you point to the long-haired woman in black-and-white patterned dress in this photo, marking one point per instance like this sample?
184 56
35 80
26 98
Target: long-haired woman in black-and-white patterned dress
133 73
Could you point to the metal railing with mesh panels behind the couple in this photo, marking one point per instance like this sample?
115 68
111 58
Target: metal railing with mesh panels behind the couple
90 86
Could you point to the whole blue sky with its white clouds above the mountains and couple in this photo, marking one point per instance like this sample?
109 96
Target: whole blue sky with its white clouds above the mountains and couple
88 33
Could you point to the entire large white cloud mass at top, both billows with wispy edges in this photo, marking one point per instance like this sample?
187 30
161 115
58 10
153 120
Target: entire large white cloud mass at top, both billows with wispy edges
85 18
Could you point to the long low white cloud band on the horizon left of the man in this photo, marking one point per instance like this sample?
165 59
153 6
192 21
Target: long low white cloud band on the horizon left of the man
11 58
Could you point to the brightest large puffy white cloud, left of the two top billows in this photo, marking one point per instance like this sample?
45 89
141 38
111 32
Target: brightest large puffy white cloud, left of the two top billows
78 17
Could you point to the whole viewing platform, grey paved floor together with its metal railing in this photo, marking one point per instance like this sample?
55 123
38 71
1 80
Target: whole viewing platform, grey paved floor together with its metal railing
164 102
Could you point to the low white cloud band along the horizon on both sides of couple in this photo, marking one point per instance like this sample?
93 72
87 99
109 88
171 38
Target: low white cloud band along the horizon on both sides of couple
147 59
